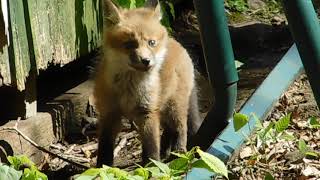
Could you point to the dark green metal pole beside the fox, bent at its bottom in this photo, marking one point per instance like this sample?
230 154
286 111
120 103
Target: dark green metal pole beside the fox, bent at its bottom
221 68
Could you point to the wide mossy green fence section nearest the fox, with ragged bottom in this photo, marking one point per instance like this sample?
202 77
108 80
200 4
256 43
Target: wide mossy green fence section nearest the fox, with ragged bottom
64 30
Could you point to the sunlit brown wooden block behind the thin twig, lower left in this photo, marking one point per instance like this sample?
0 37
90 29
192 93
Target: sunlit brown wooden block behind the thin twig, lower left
38 128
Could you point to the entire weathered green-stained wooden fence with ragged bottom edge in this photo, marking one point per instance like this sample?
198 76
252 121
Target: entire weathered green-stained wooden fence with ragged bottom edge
44 32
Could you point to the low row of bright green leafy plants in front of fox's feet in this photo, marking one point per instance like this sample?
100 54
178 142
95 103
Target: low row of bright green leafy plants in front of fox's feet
175 169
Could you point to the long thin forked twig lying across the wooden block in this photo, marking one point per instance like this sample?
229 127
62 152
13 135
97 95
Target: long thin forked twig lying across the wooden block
15 129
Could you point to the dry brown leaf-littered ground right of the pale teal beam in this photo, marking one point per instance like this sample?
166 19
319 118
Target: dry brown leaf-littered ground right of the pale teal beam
284 161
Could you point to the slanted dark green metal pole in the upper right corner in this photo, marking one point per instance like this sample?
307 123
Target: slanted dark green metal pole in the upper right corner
305 29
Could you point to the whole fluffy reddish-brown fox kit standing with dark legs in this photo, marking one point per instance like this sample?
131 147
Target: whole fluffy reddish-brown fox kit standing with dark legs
147 77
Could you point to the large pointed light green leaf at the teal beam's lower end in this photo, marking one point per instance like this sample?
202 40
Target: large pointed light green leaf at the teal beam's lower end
215 164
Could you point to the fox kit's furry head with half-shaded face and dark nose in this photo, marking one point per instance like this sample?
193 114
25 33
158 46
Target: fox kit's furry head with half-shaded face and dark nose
135 39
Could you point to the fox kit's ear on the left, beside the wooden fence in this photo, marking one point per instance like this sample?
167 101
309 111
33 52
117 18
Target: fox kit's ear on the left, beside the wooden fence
112 14
